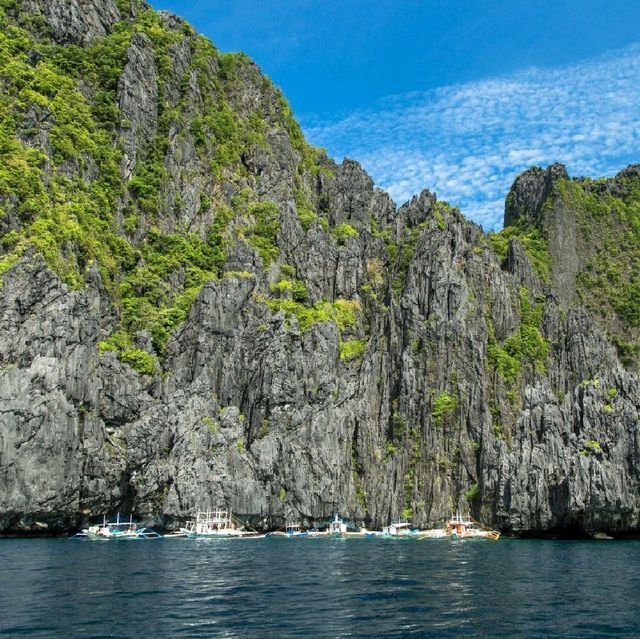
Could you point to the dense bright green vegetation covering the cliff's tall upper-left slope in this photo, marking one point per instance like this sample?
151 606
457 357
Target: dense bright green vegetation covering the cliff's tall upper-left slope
61 188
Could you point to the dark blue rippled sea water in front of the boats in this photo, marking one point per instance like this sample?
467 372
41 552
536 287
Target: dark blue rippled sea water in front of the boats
319 588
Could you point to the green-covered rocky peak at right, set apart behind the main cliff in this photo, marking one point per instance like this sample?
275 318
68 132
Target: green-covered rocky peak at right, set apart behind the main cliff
605 253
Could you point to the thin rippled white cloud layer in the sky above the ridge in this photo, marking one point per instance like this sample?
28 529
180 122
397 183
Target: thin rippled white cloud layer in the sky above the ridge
467 142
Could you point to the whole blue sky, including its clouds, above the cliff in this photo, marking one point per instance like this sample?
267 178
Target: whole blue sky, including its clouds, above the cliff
457 96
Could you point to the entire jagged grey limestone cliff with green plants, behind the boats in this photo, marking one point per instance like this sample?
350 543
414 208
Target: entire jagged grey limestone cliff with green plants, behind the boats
198 308
